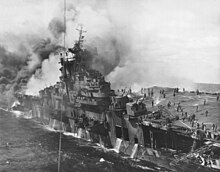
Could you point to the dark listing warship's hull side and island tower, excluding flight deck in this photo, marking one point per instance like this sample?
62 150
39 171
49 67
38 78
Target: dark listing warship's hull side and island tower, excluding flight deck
83 103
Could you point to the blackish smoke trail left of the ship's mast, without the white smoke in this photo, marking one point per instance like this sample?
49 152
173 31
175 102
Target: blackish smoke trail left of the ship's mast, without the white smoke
15 70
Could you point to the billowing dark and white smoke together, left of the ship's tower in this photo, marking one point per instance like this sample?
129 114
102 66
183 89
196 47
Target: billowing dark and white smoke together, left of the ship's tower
24 55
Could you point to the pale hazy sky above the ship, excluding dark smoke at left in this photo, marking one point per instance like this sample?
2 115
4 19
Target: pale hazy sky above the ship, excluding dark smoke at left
159 42
